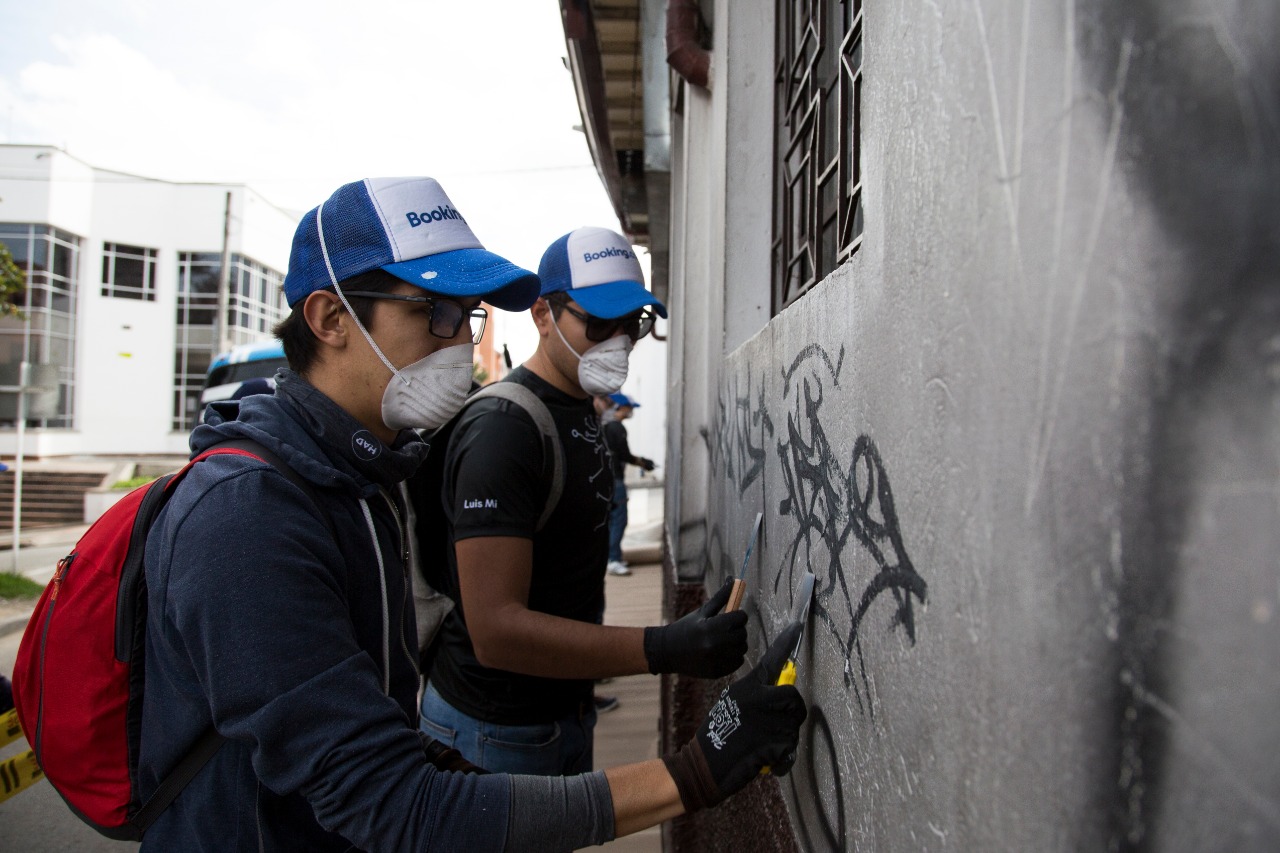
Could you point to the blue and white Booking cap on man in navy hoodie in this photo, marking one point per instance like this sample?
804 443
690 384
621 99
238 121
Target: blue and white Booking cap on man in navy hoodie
412 230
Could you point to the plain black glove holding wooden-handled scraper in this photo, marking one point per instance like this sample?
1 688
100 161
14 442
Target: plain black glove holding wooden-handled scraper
701 644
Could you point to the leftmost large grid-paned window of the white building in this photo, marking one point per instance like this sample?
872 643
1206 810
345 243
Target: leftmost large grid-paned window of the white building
48 335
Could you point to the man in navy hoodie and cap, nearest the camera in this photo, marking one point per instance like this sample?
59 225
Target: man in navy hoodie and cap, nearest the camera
282 618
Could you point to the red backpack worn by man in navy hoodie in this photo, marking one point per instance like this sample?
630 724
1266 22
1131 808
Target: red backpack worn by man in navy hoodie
79 678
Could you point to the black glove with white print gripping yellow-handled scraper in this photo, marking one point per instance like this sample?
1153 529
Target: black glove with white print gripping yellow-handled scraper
752 727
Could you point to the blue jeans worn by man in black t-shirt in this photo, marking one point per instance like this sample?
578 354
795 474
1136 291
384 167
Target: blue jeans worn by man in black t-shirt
561 749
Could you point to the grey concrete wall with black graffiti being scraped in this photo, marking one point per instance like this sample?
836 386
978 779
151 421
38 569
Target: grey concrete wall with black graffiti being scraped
1027 437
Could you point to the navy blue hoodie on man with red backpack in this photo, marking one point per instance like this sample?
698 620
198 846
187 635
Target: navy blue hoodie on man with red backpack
294 636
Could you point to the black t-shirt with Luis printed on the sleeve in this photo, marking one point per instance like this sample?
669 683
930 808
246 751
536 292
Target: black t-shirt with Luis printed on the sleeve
496 485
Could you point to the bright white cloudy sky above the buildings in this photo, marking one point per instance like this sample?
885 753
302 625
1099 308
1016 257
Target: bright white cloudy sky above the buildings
296 99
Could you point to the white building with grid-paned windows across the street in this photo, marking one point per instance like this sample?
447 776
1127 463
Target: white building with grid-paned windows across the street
122 298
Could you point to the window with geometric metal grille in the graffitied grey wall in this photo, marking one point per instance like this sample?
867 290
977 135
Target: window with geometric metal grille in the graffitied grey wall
817 185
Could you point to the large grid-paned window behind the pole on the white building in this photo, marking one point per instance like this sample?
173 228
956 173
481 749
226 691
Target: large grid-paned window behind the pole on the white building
257 304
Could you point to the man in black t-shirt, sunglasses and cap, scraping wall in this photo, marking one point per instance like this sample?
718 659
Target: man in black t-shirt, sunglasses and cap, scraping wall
511 686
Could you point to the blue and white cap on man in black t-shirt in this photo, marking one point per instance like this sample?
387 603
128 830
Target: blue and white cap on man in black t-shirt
600 271
